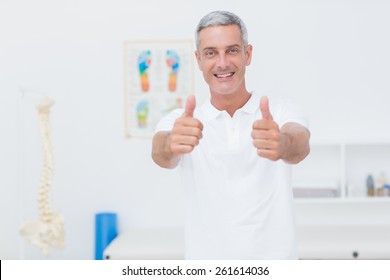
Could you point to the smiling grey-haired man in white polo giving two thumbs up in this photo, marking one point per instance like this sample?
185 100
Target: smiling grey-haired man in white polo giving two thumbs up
235 153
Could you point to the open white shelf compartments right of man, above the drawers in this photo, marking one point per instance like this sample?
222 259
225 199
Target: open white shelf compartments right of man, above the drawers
344 166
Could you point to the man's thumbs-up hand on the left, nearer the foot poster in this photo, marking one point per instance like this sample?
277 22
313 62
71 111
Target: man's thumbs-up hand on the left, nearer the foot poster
187 131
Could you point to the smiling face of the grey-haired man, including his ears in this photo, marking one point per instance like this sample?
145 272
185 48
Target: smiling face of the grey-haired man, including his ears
223 58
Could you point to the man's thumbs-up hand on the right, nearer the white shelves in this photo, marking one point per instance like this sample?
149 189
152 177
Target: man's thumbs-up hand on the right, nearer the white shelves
267 138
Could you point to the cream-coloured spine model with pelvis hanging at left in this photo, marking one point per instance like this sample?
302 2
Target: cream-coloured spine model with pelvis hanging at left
48 230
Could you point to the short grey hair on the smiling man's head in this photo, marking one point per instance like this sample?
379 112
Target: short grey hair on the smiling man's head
224 18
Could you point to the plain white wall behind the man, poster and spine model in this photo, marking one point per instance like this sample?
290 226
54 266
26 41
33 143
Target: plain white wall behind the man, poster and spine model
331 56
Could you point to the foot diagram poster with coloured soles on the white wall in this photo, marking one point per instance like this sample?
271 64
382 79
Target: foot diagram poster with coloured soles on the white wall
158 78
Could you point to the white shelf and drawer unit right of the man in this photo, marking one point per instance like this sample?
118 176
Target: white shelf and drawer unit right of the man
351 225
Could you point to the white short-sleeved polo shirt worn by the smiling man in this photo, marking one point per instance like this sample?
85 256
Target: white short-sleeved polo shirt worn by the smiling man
238 205
